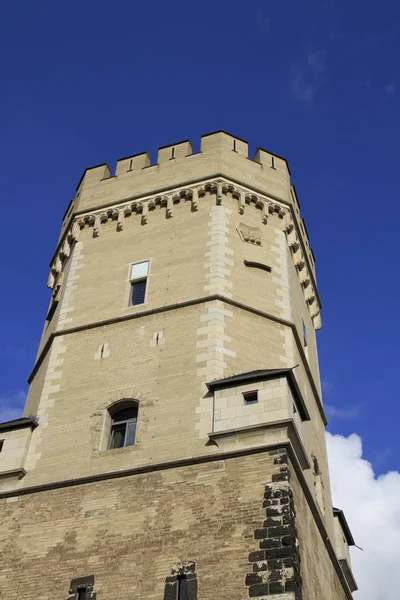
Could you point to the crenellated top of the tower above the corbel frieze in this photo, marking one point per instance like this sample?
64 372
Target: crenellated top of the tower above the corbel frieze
221 154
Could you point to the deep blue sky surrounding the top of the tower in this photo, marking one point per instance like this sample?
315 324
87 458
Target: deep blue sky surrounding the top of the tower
316 81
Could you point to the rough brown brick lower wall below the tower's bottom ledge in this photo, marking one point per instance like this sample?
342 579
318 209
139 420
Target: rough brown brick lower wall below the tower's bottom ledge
131 537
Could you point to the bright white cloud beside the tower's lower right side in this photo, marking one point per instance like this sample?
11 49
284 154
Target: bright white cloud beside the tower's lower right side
372 508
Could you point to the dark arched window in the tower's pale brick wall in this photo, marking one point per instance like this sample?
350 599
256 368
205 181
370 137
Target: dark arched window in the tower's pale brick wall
123 424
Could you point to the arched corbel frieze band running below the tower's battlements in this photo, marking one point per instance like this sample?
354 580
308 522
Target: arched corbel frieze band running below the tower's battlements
194 194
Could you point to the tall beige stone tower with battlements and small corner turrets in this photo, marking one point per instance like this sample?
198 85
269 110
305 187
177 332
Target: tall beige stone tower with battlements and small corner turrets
172 445
